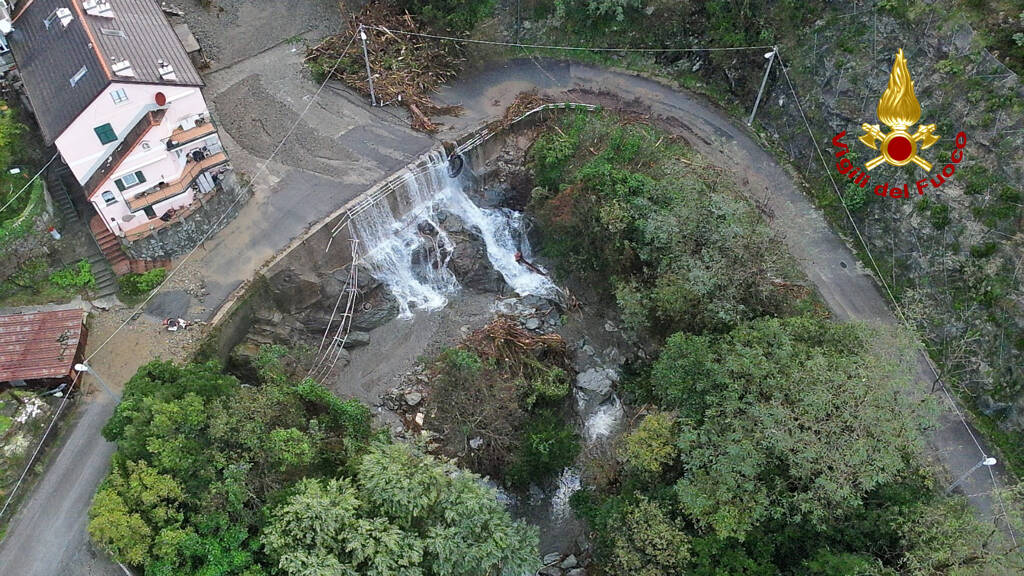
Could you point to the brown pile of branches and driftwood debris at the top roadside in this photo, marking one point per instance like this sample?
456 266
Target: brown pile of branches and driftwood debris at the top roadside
406 69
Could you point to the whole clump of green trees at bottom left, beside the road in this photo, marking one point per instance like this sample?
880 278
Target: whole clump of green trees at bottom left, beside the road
212 477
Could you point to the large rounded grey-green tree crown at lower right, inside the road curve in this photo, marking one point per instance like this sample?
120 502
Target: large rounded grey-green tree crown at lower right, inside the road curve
794 420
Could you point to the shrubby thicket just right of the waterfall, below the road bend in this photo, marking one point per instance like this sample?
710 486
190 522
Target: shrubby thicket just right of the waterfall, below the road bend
627 204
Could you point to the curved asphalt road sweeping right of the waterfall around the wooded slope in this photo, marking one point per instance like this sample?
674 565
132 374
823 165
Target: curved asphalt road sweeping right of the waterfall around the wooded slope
847 289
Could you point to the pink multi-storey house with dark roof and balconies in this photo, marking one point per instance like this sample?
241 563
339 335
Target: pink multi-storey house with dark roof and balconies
112 87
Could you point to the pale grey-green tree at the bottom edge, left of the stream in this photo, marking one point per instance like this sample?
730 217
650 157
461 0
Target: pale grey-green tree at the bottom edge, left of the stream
406 514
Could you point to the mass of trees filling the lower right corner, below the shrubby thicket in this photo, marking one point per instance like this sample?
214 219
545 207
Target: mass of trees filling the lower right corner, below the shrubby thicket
785 446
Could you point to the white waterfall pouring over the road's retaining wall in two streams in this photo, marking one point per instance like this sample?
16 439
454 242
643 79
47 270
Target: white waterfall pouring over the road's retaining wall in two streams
391 246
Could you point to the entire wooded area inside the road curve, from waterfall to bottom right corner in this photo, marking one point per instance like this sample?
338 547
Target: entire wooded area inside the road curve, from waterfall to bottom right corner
772 442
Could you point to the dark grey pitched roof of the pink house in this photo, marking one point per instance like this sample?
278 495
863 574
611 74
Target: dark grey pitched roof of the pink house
49 58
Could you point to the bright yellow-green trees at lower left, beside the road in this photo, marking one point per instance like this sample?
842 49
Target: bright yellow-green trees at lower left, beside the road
199 457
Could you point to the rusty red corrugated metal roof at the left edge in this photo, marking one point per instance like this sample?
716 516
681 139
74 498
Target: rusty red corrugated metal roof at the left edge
39 344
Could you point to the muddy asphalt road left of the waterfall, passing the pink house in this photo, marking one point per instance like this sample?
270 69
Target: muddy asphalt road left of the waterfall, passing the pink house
48 537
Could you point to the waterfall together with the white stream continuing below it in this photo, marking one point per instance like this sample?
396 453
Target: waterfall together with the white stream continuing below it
412 256
